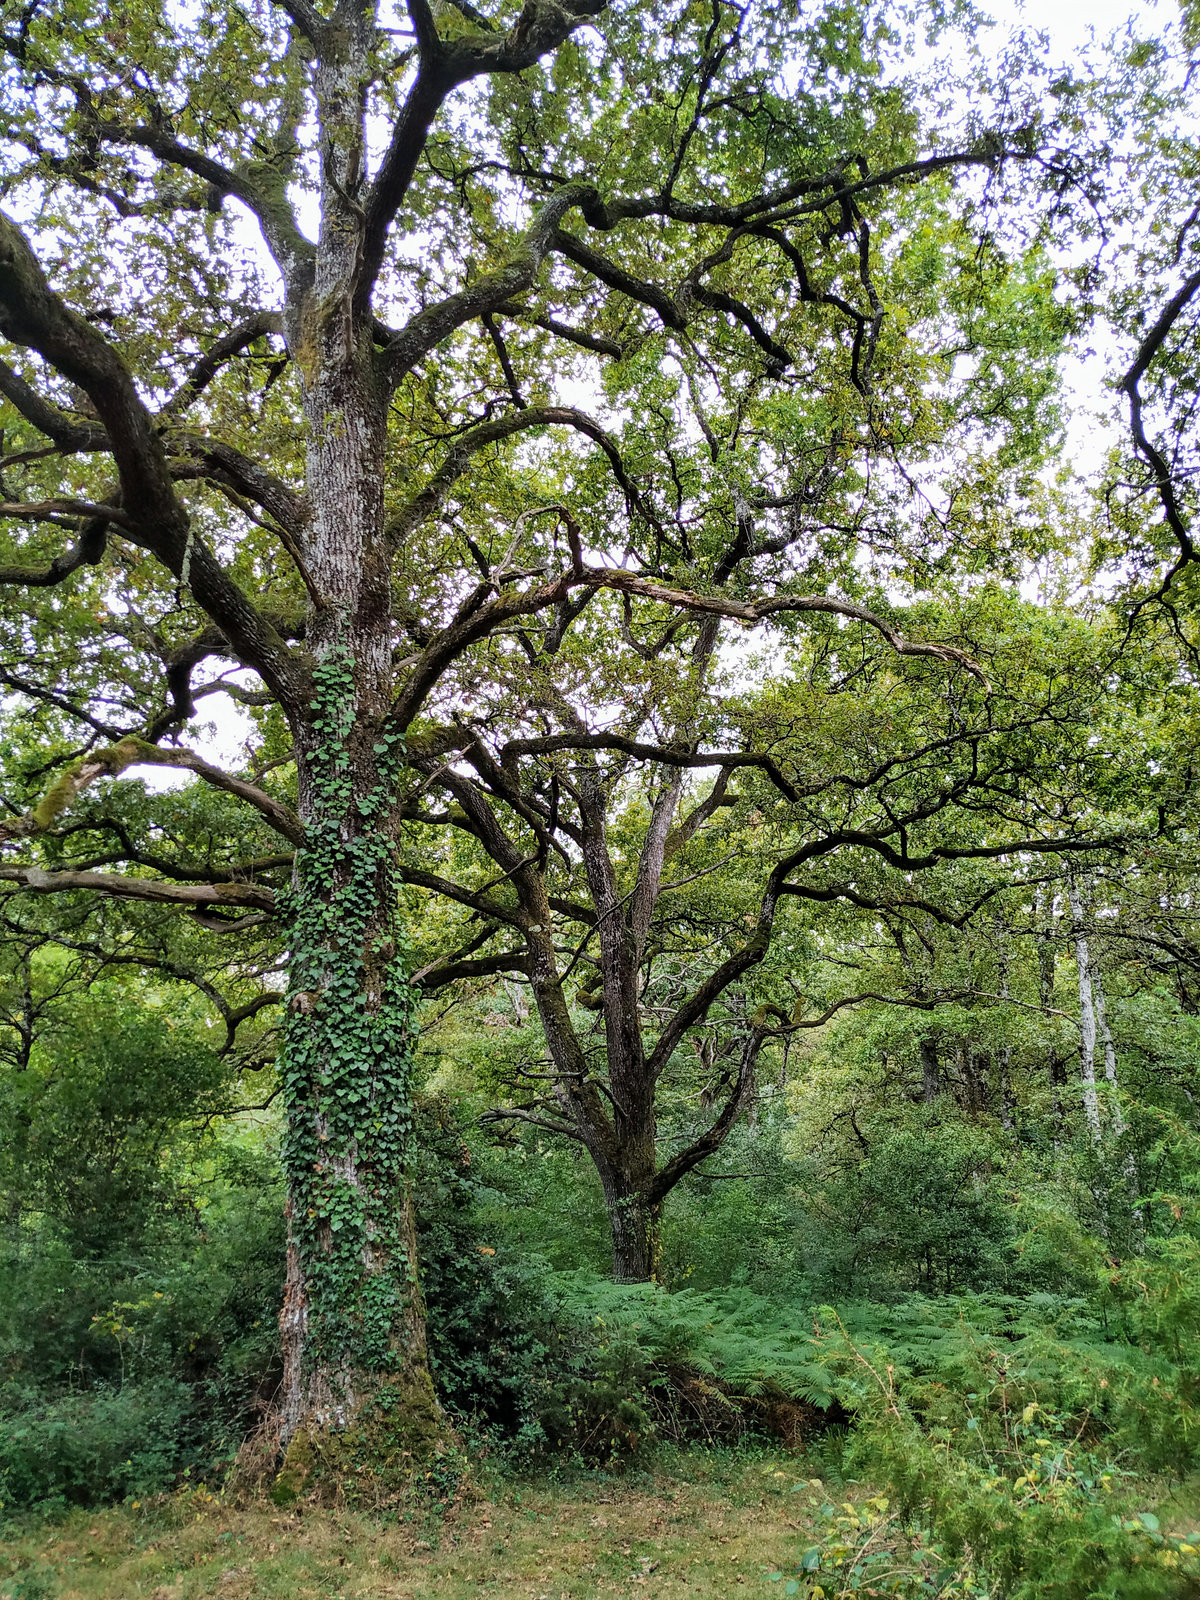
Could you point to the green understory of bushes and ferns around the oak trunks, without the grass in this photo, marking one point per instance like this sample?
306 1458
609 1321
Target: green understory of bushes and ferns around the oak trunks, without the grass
990 1401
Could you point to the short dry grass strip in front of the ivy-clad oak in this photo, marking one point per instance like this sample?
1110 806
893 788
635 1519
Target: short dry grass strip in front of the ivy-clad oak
708 1529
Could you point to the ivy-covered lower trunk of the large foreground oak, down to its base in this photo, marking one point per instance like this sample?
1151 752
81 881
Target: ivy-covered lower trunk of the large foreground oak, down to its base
353 1322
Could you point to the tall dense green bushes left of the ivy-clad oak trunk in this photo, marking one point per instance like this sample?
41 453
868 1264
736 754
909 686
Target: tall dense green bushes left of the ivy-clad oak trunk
140 1270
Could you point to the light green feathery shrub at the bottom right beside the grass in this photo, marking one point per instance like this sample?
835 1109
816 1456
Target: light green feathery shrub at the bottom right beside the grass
1025 1502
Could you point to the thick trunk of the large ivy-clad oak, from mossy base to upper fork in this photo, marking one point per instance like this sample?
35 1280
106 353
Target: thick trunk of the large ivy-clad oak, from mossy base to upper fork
358 1406
